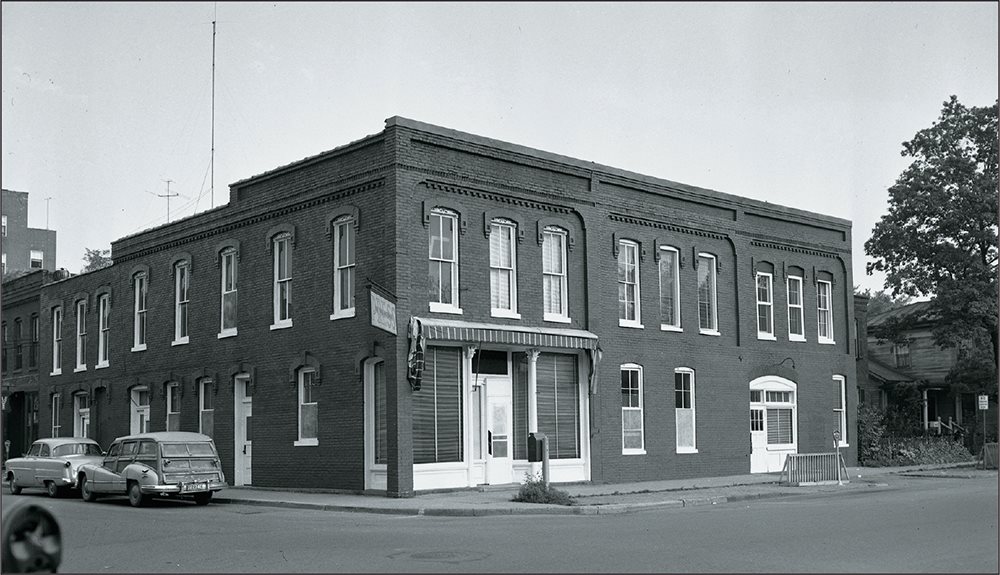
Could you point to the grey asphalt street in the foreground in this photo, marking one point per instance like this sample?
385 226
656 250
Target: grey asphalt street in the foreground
913 525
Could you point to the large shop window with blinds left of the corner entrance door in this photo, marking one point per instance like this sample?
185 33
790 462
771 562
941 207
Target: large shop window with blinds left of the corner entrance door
437 408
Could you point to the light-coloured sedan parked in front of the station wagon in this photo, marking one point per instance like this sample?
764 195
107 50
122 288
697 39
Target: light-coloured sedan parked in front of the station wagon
51 463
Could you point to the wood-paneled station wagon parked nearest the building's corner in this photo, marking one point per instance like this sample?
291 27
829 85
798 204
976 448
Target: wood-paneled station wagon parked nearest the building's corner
159 464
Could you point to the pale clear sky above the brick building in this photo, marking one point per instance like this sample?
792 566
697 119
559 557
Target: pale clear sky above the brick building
799 104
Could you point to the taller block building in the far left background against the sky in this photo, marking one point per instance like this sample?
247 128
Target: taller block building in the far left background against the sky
24 249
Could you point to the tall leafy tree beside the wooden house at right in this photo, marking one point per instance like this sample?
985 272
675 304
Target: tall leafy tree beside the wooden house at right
939 238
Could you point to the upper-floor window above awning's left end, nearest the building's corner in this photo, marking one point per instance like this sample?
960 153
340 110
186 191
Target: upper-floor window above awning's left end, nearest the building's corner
443 257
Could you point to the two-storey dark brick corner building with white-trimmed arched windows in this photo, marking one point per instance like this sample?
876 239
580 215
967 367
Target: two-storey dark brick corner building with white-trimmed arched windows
397 314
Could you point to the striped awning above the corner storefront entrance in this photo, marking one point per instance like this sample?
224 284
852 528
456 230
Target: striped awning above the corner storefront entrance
481 333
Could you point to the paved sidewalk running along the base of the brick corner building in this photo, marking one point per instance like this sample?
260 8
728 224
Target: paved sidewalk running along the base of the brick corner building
591 499
